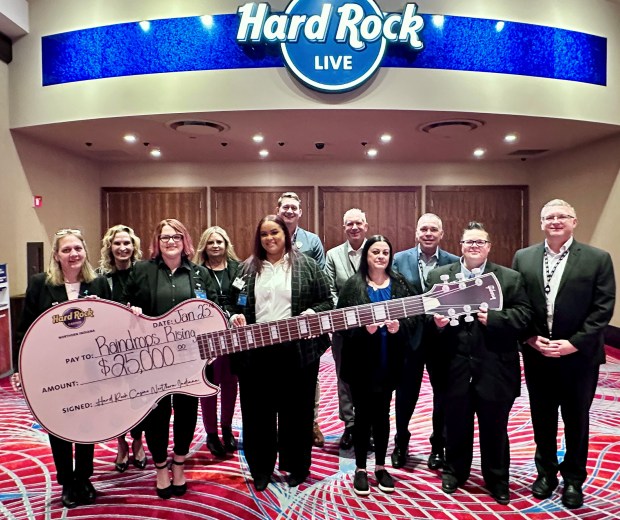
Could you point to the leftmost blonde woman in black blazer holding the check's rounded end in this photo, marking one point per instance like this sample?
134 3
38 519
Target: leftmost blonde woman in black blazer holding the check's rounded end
68 277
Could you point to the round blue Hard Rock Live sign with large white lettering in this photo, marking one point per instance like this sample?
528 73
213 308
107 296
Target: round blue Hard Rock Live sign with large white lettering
330 46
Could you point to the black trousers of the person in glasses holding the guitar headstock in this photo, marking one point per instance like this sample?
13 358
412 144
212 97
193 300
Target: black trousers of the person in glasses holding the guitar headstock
493 434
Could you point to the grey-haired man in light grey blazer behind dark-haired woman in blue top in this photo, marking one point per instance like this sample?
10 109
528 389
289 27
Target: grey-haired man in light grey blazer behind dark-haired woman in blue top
343 262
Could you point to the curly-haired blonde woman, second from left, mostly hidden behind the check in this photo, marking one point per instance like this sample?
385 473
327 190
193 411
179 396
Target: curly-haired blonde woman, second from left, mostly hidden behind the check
120 249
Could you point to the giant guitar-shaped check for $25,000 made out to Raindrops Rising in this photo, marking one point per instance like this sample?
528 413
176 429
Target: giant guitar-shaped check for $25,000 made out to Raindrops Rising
91 369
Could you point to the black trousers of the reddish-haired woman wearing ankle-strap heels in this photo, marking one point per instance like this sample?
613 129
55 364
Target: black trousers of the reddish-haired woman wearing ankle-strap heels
157 425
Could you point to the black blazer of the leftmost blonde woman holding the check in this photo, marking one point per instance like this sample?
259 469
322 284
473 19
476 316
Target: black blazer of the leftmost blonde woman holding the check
41 296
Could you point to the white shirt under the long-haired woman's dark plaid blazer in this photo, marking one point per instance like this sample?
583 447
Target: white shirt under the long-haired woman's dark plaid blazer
273 291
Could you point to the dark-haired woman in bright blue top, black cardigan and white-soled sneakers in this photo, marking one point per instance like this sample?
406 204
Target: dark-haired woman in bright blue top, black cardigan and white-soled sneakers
372 358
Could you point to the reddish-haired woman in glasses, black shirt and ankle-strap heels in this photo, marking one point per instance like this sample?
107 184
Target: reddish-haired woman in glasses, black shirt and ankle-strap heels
154 287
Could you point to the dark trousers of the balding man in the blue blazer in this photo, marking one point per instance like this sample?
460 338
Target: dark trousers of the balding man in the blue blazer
407 394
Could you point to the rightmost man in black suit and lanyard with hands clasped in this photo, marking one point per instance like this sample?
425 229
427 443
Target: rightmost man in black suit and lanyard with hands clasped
572 289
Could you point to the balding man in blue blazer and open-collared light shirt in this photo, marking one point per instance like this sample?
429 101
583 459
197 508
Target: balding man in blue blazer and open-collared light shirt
415 264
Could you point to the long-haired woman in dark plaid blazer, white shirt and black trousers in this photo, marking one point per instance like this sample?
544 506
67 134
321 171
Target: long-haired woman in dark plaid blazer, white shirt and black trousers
277 383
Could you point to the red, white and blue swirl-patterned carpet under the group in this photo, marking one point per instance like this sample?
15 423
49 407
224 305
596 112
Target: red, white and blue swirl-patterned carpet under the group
220 489
